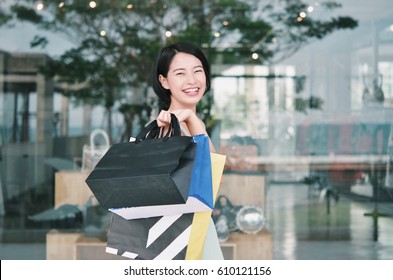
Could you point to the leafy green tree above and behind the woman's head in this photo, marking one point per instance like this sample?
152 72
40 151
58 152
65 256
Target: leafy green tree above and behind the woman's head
115 41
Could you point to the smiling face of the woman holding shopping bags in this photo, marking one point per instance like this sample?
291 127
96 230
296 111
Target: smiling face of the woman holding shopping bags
186 79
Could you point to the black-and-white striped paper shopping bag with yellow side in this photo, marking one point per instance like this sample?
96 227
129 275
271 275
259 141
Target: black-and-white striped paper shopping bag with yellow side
168 237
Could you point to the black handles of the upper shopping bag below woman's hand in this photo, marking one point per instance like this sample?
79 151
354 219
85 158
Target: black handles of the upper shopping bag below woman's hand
152 130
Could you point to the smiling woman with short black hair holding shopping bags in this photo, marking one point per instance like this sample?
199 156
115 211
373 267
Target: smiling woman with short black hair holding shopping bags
181 77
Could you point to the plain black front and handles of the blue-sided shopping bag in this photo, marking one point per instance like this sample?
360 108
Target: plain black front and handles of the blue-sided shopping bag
149 171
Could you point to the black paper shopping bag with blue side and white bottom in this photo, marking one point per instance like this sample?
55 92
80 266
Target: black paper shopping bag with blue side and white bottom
155 176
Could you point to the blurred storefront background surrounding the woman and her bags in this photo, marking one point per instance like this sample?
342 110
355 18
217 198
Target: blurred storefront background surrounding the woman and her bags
301 103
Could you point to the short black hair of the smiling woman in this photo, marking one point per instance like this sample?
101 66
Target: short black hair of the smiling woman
162 63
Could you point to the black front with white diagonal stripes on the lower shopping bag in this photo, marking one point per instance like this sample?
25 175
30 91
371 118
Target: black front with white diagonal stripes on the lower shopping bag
156 238
